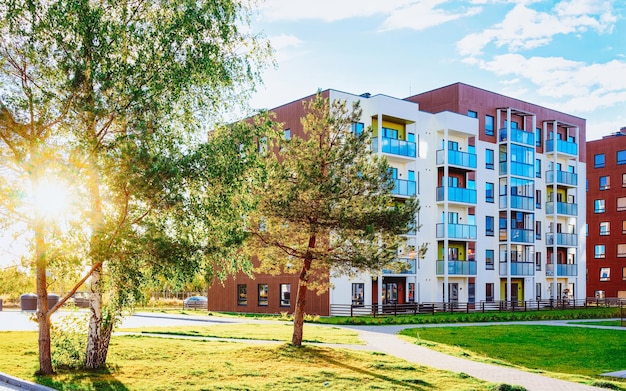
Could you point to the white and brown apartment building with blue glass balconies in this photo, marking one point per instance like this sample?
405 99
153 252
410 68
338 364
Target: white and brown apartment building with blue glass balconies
442 147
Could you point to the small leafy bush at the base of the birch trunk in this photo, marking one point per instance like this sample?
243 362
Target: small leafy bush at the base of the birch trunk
69 341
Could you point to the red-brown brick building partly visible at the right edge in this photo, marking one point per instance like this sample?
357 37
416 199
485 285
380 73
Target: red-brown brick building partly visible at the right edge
606 217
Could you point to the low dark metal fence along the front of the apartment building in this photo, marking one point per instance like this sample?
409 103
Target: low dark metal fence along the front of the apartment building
483 306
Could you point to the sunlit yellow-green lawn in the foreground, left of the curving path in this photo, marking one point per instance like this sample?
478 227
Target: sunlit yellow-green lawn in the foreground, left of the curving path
143 363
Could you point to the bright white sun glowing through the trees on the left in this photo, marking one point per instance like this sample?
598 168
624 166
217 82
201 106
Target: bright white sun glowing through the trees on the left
52 199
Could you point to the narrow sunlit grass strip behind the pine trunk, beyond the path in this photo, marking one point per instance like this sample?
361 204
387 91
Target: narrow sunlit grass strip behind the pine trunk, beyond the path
270 332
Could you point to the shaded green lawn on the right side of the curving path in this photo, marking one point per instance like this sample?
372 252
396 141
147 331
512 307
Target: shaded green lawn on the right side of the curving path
545 349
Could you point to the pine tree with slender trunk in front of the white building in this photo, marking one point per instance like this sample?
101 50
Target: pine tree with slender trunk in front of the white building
327 204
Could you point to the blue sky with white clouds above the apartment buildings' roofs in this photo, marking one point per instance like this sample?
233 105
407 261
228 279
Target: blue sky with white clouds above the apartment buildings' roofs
564 55
